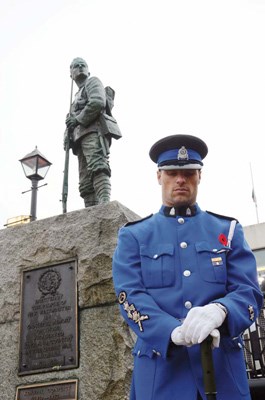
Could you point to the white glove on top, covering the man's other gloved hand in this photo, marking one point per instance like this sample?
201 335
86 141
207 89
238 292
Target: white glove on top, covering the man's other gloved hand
200 322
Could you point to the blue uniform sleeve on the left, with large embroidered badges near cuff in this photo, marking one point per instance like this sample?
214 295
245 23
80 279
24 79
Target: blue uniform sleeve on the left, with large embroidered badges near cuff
138 308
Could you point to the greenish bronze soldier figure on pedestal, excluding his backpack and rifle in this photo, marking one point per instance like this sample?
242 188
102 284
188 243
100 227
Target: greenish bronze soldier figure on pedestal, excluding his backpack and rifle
84 130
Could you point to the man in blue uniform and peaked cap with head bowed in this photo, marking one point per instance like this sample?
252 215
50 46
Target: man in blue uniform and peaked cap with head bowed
181 275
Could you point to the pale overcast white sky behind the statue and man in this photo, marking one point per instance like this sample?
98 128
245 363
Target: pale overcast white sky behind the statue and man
193 66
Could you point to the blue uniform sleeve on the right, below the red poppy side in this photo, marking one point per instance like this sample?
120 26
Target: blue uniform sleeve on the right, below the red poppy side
244 298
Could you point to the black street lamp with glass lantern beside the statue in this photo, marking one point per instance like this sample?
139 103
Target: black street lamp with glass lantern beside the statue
35 167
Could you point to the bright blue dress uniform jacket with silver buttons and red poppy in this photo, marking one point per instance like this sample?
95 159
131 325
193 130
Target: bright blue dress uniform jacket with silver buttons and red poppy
164 266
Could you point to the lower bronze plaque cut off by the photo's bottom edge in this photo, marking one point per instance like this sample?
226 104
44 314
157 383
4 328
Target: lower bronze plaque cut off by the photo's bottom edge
61 390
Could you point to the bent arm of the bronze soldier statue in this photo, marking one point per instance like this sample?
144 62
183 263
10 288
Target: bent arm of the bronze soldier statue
96 102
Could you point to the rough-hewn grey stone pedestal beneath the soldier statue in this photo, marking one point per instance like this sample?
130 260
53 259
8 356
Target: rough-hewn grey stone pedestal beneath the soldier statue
104 341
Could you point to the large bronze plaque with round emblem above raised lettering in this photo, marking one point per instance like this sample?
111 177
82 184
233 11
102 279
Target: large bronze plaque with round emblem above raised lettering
48 325
